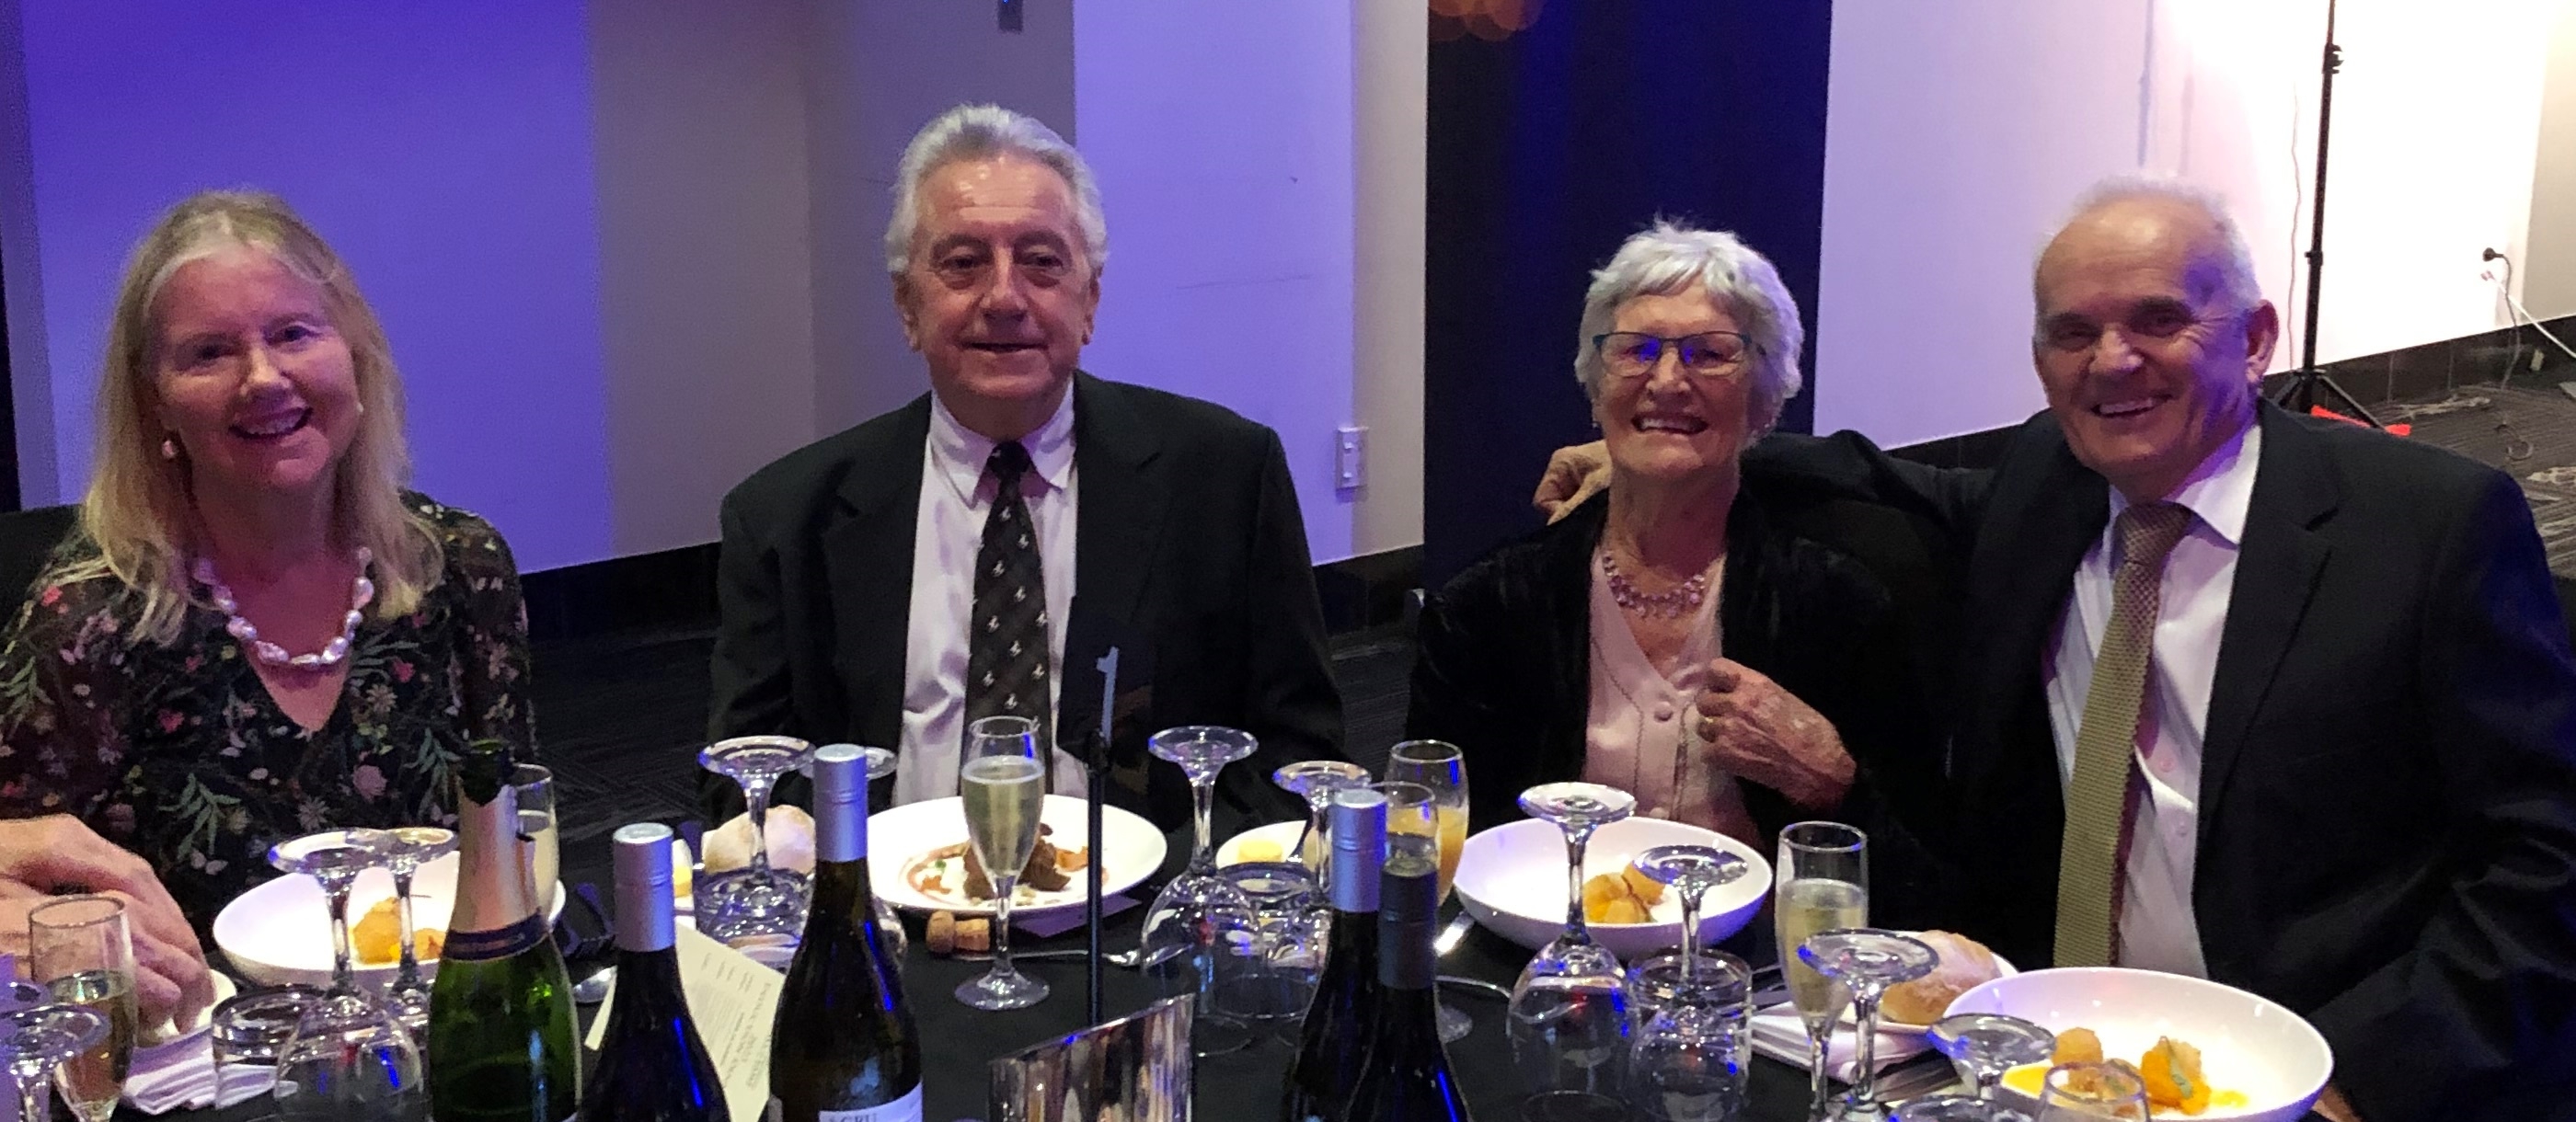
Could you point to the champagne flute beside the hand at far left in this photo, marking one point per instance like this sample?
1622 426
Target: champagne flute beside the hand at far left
84 956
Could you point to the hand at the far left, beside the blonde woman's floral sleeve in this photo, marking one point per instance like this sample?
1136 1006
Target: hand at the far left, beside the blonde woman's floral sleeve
43 858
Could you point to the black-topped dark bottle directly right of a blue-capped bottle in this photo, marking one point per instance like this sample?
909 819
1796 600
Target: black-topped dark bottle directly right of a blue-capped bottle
1405 1077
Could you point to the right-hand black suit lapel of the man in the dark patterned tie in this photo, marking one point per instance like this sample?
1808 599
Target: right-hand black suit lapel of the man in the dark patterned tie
1122 503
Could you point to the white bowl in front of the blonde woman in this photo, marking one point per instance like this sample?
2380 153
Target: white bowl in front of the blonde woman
279 933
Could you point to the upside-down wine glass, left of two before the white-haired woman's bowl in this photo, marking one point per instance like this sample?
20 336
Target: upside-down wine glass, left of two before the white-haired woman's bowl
1570 1007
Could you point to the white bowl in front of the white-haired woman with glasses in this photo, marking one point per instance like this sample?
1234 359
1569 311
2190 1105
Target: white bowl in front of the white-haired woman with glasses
1513 881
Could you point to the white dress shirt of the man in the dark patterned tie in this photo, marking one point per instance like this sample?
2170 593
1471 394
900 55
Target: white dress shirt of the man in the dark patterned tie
949 534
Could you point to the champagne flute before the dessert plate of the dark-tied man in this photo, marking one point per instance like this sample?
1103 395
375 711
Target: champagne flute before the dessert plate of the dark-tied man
1003 786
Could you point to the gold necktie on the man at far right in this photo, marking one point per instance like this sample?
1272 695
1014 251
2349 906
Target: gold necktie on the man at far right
2108 737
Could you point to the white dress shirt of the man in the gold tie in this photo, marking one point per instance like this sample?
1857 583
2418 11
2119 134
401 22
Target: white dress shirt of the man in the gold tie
2157 925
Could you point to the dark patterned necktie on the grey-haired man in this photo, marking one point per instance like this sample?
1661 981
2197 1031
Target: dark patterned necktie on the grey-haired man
1006 647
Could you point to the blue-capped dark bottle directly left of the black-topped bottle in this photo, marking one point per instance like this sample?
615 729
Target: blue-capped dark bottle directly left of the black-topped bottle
1346 1000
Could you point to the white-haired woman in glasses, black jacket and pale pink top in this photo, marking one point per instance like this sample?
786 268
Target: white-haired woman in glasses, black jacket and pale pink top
1580 650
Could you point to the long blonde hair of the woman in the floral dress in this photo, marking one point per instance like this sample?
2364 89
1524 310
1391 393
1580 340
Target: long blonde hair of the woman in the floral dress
140 506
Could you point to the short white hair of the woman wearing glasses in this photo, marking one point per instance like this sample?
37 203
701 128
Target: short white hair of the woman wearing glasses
1665 261
